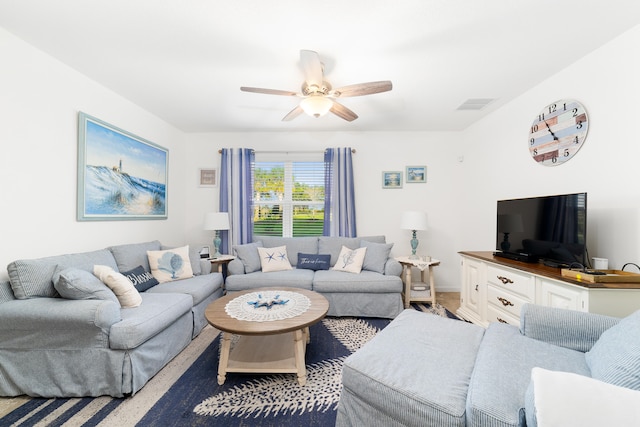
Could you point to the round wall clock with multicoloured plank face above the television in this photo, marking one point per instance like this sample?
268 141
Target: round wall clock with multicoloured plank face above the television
558 132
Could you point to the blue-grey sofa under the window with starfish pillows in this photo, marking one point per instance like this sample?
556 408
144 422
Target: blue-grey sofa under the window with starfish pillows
374 292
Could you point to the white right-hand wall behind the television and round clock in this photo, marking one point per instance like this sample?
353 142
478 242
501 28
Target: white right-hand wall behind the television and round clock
498 164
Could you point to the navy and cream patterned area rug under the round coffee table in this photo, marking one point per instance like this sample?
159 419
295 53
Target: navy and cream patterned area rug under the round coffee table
186 392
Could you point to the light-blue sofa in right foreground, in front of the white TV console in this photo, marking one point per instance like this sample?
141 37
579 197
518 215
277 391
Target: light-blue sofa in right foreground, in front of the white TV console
452 373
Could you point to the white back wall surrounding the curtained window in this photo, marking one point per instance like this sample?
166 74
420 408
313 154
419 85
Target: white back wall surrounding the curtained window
378 210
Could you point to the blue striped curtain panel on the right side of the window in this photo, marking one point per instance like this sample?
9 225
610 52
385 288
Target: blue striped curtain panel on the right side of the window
339 202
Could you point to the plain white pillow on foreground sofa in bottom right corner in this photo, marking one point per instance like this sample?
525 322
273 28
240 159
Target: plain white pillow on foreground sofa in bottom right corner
568 399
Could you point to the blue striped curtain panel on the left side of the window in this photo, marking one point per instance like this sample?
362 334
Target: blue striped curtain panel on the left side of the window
236 196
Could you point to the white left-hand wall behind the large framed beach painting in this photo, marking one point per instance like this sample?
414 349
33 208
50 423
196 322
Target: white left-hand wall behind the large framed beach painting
39 102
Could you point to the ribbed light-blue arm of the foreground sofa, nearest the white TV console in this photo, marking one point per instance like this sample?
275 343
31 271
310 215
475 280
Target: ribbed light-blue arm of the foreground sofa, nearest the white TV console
571 329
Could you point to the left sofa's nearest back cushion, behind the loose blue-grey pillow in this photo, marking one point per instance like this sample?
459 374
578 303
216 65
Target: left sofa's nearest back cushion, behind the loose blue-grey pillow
32 278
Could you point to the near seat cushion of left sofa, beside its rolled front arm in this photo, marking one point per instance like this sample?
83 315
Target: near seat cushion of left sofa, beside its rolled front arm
157 312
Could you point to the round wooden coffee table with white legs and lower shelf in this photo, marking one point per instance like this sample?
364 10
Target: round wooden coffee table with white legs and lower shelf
274 346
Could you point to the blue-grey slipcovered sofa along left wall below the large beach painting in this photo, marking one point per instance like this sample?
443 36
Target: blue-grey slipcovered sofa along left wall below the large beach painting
90 346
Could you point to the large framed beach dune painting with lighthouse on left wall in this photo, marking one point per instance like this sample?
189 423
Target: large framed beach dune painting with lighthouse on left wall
120 175
